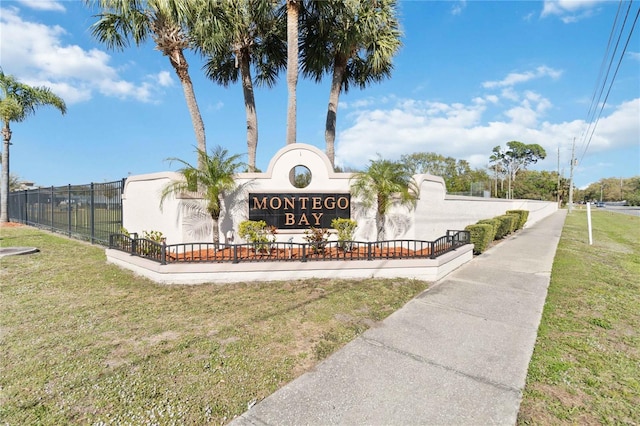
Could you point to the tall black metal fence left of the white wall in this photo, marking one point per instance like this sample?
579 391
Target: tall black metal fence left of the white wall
90 212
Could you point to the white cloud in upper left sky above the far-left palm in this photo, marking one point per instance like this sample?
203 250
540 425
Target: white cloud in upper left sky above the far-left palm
37 55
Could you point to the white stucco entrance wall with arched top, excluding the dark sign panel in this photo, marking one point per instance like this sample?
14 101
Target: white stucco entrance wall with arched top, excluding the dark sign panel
181 221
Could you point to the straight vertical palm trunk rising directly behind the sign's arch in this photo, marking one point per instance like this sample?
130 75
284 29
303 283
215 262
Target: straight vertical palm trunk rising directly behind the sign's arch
293 10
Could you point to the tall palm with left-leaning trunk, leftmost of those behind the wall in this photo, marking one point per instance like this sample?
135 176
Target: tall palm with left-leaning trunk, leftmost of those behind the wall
122 20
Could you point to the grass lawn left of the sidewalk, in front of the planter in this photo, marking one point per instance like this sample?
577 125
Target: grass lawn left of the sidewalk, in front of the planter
85 342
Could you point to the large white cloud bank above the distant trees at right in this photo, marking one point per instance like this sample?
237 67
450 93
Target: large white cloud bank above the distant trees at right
461 131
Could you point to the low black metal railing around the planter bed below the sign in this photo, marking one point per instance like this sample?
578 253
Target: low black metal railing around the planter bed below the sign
287 251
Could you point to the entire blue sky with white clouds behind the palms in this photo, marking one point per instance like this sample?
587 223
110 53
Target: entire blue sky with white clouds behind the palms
471 75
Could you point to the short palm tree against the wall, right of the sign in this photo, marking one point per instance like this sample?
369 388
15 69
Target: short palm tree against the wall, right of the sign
381 184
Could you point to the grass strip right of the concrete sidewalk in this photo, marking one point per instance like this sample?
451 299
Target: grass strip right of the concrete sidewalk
586 363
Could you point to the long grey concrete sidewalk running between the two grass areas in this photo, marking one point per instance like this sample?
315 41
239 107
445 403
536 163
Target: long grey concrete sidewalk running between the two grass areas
456 354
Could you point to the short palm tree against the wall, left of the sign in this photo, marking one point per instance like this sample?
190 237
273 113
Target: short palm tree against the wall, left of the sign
211 181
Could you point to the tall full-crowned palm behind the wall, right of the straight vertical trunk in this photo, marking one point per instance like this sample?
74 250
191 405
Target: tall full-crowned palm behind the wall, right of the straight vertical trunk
355 41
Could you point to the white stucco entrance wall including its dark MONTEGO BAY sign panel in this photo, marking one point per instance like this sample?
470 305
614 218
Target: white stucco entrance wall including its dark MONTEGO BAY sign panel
293 201
